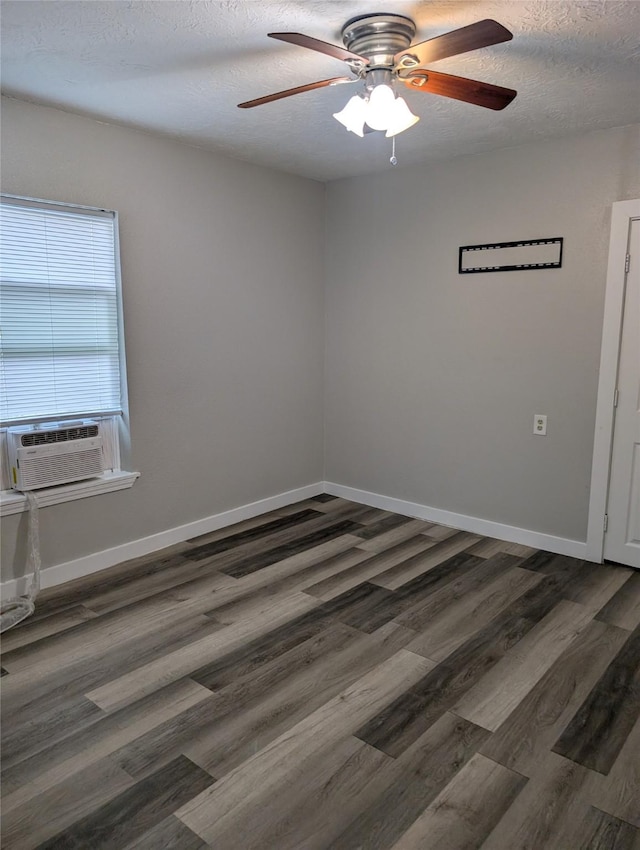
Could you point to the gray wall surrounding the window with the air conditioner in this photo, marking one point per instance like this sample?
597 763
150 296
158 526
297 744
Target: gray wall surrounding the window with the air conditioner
222 267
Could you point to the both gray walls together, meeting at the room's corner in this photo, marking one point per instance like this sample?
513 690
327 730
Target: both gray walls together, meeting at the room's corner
432 379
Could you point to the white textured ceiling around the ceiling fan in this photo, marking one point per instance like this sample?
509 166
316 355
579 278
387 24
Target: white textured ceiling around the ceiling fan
179 68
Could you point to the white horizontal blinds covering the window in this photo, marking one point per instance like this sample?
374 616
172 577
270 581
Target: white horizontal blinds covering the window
59 312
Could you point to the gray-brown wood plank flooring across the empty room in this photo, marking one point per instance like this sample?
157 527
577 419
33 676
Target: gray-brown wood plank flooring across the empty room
328 676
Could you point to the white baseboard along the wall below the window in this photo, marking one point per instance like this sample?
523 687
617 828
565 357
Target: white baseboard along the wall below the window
145 545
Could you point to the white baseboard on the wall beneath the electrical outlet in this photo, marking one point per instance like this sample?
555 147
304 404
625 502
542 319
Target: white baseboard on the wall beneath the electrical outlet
559 545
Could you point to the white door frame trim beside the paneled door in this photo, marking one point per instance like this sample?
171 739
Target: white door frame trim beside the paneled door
622 213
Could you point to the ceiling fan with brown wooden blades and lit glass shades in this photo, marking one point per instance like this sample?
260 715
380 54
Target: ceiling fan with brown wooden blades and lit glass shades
378 50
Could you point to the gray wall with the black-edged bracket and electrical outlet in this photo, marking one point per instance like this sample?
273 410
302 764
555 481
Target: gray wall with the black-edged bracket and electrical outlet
433 378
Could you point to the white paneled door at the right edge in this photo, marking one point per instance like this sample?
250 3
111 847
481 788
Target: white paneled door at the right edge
622 539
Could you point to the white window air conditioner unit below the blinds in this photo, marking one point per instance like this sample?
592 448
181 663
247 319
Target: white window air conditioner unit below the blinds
54 455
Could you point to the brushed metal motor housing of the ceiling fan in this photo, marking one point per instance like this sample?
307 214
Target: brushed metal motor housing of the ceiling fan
378 37
